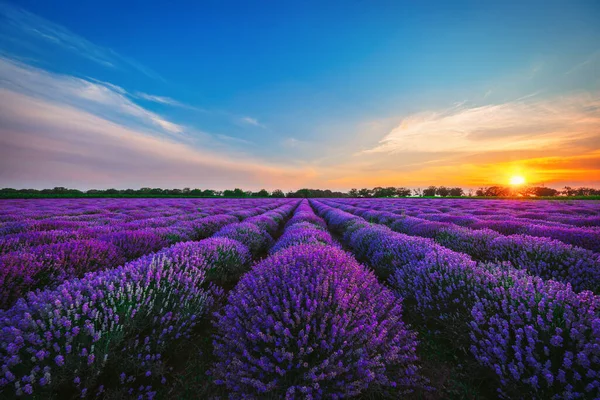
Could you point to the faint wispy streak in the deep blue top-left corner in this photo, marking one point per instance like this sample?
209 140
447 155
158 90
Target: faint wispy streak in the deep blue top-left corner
21 25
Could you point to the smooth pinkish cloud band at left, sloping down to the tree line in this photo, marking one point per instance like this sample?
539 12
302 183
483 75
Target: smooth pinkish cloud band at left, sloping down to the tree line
44 143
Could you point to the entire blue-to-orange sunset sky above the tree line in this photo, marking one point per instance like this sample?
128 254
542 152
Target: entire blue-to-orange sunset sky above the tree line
338 95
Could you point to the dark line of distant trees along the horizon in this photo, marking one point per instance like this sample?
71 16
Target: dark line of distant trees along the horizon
376 192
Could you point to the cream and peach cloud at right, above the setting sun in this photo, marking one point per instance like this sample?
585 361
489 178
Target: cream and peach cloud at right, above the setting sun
527 123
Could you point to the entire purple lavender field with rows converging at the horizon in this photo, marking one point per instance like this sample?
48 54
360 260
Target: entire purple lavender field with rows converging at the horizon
299 298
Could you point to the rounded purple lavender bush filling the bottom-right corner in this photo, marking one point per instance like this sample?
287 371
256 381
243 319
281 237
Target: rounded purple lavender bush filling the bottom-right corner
540 338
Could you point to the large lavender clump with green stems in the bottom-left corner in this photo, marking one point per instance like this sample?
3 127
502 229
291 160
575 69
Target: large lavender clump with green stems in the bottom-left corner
86 330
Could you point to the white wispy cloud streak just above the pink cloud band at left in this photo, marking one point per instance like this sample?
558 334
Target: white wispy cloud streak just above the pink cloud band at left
97 97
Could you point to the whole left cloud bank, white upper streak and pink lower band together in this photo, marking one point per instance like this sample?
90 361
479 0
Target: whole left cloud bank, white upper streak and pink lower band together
57 129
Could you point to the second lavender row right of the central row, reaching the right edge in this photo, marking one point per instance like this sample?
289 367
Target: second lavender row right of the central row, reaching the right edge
544 257
